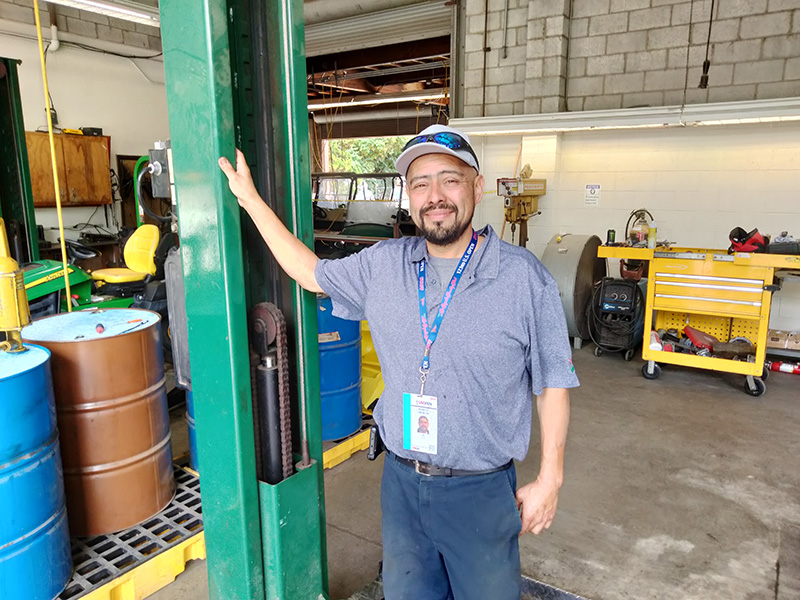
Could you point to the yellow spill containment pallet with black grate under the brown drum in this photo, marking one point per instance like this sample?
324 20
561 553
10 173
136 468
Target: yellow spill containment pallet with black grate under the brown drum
137 562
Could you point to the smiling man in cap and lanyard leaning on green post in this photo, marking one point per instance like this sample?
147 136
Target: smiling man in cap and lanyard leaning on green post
467 328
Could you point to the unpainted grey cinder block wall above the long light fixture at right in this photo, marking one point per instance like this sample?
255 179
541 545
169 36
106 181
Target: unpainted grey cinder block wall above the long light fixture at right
571 55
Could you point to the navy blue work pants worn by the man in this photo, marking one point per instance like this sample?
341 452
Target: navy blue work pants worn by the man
449 538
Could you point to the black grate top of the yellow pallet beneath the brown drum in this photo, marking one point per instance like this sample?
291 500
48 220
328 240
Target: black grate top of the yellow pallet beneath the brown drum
101 559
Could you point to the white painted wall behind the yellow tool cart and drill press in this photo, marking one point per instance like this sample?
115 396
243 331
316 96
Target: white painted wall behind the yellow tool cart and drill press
698 182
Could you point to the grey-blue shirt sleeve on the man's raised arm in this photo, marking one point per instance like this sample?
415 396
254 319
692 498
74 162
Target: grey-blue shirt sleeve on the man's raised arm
346 281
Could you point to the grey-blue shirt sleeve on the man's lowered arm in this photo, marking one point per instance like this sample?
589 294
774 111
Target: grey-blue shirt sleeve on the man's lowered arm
550 352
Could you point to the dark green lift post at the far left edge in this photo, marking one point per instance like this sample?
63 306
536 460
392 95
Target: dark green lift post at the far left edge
16 194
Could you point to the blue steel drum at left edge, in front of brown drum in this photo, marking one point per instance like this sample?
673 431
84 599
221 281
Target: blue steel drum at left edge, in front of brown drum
35 562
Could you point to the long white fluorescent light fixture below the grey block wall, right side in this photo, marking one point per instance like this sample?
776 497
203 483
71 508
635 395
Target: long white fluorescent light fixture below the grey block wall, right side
722 113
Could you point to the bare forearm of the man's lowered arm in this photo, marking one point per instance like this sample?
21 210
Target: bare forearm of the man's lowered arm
553 408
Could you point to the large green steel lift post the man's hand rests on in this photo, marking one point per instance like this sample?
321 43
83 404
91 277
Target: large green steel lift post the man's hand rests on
235 76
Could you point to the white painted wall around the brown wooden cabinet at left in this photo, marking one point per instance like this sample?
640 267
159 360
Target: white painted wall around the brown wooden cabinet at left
90 90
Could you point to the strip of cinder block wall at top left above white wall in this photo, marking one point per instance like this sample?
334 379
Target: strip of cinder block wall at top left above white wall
85 24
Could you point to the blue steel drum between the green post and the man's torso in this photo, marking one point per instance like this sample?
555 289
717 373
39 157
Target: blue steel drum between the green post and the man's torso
339 372
